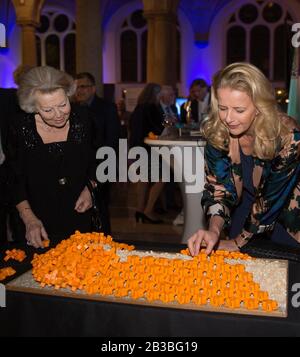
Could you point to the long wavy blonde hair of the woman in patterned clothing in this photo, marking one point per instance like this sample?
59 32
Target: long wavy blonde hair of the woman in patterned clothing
267 125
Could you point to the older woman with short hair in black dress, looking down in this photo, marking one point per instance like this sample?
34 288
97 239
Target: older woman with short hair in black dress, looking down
53 163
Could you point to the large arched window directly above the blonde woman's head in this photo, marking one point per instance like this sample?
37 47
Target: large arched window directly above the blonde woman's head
259 32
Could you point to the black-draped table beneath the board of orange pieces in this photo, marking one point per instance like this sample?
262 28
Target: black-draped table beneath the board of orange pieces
29 314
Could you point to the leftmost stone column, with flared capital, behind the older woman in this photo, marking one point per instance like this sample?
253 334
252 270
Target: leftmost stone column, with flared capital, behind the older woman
28 17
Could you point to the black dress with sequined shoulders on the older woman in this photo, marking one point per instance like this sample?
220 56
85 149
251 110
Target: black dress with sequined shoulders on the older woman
52 176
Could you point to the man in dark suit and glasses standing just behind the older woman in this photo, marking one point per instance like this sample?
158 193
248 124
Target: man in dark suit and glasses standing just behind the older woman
106 130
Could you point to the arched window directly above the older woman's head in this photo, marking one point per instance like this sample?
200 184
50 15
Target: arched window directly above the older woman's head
56 41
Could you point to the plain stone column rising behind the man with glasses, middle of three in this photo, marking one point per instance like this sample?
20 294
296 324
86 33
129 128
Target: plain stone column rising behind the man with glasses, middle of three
89 39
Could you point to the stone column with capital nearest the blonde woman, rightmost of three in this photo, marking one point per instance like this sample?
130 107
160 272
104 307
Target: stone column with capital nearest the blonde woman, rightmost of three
162 45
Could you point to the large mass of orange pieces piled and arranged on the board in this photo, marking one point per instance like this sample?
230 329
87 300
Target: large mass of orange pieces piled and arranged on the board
83 262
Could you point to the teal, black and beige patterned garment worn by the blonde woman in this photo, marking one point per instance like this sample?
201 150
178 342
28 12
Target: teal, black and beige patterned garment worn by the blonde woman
273 195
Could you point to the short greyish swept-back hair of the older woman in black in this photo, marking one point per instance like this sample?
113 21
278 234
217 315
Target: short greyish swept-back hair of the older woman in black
44 80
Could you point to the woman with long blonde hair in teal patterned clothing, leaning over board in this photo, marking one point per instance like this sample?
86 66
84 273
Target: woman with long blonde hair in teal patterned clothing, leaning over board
252 164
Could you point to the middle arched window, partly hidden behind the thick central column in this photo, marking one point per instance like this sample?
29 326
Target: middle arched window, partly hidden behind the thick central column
133 49
